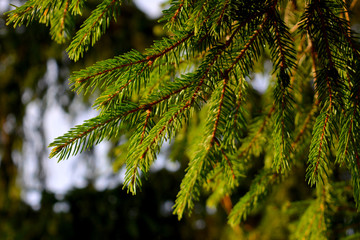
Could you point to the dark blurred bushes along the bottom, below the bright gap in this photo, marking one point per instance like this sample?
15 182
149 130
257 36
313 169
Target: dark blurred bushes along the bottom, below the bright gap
112 214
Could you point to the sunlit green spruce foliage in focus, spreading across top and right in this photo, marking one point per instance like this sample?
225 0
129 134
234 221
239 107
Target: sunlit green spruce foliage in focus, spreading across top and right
197 81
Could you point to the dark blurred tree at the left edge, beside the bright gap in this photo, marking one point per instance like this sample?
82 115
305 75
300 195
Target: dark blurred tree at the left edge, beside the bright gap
23 62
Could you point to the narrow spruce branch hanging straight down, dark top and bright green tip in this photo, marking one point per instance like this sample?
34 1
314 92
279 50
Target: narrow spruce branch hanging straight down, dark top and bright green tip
282 53
